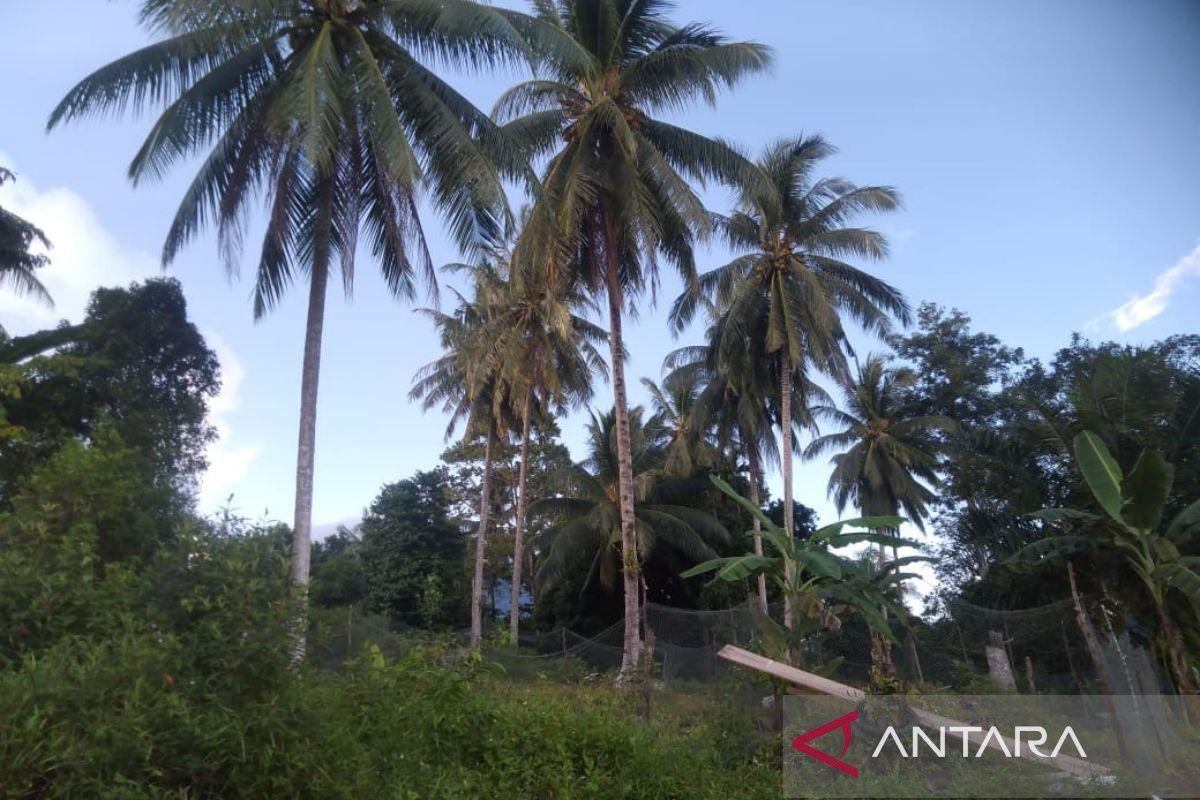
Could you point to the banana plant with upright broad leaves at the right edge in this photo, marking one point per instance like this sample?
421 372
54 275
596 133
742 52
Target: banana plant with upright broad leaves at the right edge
1132 531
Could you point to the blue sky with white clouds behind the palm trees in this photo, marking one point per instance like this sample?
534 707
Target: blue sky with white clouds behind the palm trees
1047 154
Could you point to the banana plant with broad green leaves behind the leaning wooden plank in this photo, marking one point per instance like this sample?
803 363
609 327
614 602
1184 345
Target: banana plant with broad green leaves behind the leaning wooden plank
821 585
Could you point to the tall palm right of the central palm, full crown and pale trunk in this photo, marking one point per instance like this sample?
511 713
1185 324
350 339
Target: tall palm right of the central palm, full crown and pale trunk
784 294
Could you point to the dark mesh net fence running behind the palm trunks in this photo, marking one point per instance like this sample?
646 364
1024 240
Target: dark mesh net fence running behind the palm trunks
964 648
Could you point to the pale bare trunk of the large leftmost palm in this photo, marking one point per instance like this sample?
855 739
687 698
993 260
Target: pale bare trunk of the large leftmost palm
307 452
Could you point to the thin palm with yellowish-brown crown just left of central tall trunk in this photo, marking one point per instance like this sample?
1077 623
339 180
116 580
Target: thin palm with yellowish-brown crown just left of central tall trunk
547 352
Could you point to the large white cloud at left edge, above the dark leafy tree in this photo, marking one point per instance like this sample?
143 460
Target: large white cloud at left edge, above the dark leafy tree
85 256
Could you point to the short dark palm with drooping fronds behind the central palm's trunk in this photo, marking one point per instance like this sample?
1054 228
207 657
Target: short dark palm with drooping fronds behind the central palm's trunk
676 537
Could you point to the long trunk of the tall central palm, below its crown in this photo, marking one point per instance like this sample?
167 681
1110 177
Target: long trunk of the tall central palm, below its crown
631 567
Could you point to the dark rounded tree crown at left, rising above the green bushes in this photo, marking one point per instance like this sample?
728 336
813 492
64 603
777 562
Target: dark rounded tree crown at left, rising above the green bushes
136 364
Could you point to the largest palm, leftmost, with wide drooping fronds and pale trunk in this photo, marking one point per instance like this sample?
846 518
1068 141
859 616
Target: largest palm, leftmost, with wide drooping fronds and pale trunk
327 110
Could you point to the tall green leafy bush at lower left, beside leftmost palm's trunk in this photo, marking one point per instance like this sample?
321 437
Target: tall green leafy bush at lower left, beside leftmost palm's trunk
137 665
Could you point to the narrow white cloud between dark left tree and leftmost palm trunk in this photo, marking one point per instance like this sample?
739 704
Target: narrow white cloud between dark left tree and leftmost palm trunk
229 464
